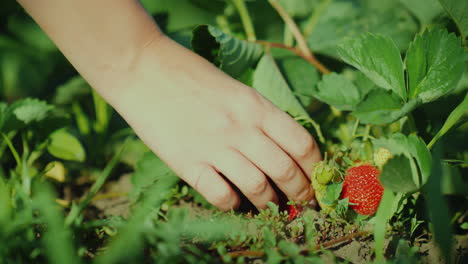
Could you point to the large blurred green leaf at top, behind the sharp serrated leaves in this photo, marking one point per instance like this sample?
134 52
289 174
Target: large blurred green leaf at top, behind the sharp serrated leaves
343 20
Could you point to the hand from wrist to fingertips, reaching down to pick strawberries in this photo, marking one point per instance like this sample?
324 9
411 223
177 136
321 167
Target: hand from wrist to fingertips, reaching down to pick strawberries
203 123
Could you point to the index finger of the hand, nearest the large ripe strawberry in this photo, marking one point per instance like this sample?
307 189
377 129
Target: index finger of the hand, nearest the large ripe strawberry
293 139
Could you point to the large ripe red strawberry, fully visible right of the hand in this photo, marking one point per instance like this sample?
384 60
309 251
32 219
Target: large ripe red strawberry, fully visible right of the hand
363 189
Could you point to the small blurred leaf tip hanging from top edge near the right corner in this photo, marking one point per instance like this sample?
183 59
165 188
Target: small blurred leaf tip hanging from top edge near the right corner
424 10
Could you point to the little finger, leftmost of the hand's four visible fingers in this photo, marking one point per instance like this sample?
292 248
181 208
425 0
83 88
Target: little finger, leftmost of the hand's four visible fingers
206 180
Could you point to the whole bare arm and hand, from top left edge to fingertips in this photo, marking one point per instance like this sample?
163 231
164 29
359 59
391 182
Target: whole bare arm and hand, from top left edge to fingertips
197 119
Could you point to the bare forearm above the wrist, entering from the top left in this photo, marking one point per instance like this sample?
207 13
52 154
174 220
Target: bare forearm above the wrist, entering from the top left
103 39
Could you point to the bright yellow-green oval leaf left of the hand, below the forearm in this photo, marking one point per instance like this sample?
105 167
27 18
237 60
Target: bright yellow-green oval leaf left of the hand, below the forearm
65 146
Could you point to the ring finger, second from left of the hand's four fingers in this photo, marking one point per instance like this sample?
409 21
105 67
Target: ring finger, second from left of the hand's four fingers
247 177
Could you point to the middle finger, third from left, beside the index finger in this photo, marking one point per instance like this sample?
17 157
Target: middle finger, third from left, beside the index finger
275 163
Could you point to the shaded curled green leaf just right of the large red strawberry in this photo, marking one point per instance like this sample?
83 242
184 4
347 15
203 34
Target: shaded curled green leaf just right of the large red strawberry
397 175
